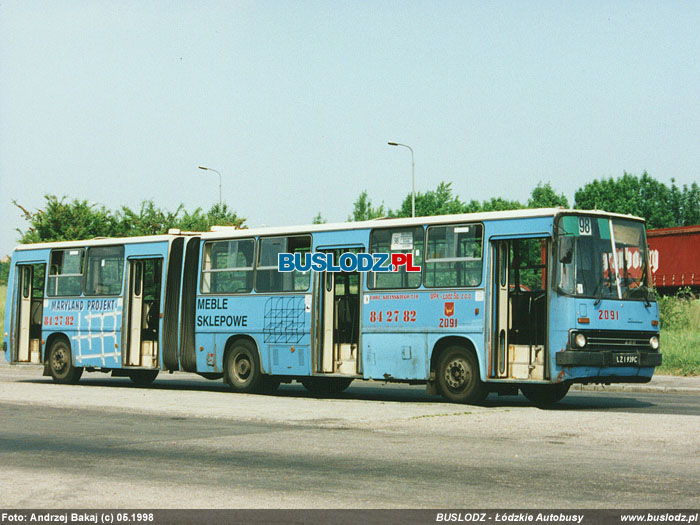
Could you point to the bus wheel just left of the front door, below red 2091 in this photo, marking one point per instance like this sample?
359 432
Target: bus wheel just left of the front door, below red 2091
458 376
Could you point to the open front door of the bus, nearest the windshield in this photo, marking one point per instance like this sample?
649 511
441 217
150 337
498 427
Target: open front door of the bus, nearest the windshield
518 338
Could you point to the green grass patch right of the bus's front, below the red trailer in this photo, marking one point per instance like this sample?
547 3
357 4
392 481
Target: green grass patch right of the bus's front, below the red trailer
680 335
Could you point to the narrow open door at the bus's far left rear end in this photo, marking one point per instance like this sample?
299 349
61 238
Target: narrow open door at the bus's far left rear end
30 302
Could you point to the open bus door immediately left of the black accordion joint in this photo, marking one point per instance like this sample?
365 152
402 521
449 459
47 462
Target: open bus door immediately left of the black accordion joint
143 320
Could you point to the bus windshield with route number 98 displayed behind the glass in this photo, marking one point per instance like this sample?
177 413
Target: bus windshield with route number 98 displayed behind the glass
586 264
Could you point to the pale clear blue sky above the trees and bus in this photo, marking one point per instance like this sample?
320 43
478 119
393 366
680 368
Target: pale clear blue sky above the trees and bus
294 101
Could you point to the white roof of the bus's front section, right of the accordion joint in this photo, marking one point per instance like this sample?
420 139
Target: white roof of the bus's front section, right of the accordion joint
221 232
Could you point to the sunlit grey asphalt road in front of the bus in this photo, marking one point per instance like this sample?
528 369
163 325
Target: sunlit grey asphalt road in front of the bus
189 443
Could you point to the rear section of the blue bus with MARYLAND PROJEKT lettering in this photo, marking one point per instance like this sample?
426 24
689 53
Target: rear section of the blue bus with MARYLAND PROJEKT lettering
110 305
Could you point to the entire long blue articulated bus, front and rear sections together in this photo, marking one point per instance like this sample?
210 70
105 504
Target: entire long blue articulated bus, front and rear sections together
528 300
